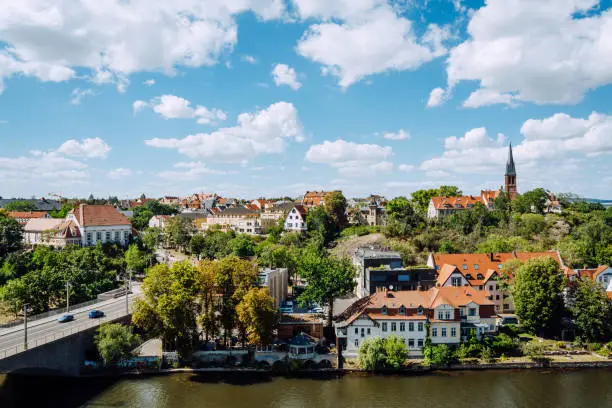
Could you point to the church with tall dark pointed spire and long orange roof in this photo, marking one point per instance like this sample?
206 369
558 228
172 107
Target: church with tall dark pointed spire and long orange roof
442 206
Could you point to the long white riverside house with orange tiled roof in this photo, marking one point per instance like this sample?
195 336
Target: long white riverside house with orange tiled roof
452 313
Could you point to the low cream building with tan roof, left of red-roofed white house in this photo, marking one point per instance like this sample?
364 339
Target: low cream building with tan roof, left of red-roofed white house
56 232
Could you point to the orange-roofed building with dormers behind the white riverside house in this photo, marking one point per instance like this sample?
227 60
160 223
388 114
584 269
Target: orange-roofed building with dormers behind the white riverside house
483 272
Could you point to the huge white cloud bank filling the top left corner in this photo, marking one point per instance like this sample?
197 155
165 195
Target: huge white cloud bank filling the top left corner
49 40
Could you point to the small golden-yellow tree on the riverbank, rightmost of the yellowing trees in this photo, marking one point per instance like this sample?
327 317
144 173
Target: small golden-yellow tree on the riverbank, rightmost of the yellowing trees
257 313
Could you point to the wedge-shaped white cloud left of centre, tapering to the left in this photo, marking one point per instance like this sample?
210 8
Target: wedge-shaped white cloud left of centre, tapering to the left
263 132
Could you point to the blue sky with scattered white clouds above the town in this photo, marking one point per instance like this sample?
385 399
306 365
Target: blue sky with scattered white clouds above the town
252 98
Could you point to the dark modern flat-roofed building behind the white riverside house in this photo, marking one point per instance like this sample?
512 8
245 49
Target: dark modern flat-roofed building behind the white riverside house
383 268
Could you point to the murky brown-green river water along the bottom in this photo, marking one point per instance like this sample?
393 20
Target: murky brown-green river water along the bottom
483 389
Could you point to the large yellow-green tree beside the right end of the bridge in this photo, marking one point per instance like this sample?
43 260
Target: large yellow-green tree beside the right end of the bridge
168 306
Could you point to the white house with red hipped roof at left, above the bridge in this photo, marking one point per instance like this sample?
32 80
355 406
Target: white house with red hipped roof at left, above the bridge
101 223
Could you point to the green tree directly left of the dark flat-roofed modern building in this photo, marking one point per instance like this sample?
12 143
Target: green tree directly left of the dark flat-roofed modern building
328 278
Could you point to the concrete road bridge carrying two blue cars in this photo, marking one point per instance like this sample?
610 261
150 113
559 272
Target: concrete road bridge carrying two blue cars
54 347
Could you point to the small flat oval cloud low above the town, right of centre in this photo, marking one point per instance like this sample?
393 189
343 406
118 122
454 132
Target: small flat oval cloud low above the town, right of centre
352 159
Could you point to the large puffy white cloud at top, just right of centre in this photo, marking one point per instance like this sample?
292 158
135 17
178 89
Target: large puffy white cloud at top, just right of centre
372 39
